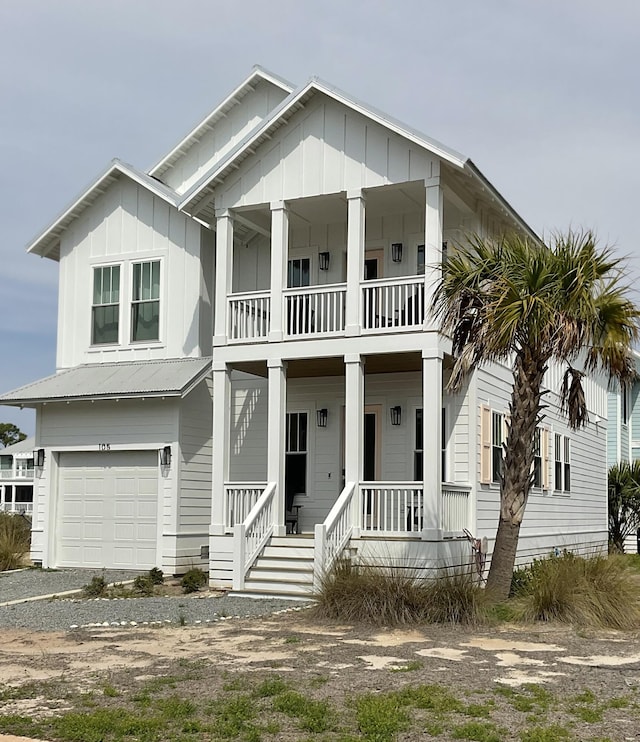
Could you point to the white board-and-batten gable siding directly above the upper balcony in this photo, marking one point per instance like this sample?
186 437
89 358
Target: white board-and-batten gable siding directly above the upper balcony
326 148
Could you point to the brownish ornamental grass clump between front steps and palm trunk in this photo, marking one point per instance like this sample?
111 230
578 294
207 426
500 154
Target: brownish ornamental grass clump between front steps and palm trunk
393 596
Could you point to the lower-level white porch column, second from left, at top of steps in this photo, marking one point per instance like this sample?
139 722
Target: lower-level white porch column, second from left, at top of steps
275 438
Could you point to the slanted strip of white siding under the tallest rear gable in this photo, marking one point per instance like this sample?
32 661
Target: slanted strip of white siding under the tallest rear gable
219 139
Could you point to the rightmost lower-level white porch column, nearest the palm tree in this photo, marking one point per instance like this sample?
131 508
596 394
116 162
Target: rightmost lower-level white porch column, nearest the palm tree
432 442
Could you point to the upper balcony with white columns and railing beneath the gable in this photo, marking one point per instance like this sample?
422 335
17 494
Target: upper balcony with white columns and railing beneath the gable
344 264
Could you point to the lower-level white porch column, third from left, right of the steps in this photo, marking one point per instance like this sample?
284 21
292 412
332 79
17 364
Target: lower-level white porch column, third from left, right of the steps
354 428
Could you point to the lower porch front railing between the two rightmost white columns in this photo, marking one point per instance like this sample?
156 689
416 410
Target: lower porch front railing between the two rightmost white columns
391 507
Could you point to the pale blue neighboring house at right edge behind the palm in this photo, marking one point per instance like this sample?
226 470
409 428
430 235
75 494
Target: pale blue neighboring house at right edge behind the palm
623 430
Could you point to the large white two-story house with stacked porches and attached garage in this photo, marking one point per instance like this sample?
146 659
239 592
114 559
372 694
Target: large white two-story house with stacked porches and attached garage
245 349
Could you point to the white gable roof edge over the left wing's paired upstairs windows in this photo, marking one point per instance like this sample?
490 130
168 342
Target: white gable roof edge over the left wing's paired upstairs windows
47 244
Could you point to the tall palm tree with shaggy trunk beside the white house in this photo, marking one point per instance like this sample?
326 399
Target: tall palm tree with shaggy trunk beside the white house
517 301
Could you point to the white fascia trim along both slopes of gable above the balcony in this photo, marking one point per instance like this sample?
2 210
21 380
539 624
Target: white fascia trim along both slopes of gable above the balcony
289 103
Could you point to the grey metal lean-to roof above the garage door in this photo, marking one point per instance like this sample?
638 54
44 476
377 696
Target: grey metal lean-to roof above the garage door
167 378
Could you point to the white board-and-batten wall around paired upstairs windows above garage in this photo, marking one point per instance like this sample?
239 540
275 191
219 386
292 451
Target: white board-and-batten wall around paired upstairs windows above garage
128 224
